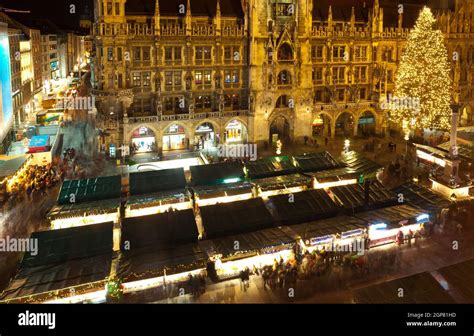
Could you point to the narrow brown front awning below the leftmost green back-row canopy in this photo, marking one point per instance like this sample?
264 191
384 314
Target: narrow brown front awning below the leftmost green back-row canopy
84 209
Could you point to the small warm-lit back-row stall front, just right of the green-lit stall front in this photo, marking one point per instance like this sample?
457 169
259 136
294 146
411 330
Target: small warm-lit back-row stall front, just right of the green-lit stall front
277 185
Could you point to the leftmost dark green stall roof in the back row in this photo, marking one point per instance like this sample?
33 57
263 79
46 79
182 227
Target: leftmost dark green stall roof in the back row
93 189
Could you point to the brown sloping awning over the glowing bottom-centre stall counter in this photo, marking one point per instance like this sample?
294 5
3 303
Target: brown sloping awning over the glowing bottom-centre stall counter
257 241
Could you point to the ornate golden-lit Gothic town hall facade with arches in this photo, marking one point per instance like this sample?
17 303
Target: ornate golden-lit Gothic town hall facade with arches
185 72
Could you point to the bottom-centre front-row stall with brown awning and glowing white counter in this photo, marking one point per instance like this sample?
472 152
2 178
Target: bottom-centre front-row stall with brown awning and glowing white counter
234 253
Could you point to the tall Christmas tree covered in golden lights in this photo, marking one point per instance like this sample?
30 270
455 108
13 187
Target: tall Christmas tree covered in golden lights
423 85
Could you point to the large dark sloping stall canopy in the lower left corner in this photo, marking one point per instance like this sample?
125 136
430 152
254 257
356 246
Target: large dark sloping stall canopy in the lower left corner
65 258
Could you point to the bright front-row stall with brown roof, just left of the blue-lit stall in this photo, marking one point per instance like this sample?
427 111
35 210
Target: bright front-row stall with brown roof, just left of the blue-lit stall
332 233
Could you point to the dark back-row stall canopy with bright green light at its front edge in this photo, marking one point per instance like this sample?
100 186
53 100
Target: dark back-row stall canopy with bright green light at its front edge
217 173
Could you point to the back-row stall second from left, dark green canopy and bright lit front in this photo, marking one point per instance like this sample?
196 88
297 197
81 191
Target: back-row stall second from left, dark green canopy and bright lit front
157 191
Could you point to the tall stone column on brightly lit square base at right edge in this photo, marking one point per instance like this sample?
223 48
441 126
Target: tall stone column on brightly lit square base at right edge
450 184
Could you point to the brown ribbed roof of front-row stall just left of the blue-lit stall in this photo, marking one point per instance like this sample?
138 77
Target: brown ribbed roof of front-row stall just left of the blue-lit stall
327 226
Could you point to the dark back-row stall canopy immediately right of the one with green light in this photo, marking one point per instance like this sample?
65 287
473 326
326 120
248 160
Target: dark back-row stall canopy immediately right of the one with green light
271 166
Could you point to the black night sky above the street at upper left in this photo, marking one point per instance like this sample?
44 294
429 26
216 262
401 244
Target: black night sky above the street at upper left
55 10
